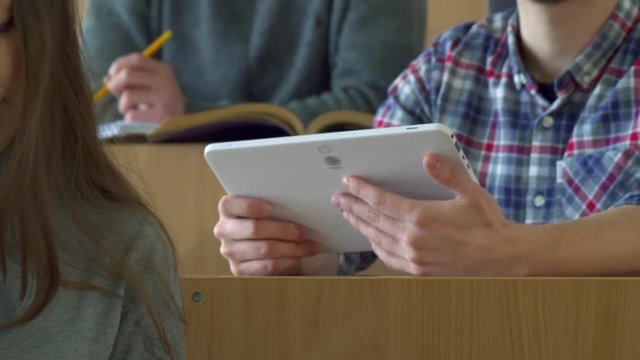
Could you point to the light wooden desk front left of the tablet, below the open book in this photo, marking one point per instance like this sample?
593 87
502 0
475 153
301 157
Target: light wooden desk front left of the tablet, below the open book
180 187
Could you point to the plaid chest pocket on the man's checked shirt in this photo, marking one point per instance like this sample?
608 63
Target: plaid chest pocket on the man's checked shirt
595 181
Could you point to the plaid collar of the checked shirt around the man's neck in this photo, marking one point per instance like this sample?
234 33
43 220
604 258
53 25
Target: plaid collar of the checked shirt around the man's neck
590 65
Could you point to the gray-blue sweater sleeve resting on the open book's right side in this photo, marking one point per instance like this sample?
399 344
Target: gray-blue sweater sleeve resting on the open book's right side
370 43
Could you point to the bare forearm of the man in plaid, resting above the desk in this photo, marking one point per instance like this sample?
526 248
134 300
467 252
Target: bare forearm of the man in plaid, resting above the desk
603 244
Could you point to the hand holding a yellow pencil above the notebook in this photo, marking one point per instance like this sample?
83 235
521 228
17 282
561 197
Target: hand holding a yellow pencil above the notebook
147 89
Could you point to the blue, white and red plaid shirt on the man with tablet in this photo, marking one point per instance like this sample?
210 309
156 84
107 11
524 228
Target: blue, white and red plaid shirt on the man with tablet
542 162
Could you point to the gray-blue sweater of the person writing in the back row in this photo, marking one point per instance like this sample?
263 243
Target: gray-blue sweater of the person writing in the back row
310 56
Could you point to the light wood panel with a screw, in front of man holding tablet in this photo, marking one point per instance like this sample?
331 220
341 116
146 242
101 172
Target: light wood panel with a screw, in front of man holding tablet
404 318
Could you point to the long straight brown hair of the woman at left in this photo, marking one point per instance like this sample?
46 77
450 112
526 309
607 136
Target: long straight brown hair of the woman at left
55 159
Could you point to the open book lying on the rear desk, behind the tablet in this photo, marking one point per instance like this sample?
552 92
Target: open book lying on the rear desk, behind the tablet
236 122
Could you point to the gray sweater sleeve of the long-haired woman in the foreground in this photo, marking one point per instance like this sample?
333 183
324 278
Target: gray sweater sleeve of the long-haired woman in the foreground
151 258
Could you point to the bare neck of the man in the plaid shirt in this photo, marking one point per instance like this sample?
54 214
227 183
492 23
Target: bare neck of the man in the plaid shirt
553 33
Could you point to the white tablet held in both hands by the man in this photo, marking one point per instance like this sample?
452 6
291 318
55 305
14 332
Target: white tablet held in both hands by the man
299 174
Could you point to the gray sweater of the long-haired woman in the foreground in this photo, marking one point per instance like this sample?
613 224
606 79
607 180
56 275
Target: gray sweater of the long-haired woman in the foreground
92 325
